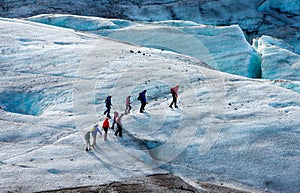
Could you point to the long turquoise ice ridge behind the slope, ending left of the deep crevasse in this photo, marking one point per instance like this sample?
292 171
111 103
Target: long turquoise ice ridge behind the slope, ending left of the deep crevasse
183 37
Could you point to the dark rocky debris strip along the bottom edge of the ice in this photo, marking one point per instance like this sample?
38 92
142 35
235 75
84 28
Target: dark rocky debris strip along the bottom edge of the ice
158 183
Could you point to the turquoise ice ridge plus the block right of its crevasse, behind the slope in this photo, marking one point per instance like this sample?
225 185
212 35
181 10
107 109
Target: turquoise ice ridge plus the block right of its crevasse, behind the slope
232 55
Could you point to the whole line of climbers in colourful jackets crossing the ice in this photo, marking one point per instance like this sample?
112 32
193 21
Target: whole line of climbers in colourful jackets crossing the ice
117 118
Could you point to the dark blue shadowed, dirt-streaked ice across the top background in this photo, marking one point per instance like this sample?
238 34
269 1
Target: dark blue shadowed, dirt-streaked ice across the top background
278 18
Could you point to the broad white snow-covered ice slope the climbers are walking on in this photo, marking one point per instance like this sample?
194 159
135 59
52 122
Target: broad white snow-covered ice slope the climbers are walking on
228 129
